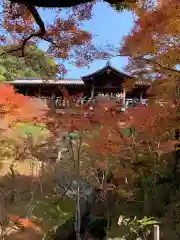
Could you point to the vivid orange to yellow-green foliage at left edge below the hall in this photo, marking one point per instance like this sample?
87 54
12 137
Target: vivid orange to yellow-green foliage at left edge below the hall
18 129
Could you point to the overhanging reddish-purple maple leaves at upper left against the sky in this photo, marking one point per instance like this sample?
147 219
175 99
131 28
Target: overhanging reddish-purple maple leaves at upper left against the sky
65 37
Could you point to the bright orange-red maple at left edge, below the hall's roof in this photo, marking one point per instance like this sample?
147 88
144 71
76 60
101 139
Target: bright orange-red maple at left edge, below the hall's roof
18 115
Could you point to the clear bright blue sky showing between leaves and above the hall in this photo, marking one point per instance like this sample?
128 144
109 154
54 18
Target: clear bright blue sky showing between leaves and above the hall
107 27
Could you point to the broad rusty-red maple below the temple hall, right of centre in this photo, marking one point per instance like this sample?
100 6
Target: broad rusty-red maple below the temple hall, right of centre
132 146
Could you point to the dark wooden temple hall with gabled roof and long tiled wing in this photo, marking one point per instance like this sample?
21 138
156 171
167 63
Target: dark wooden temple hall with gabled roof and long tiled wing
106 82
